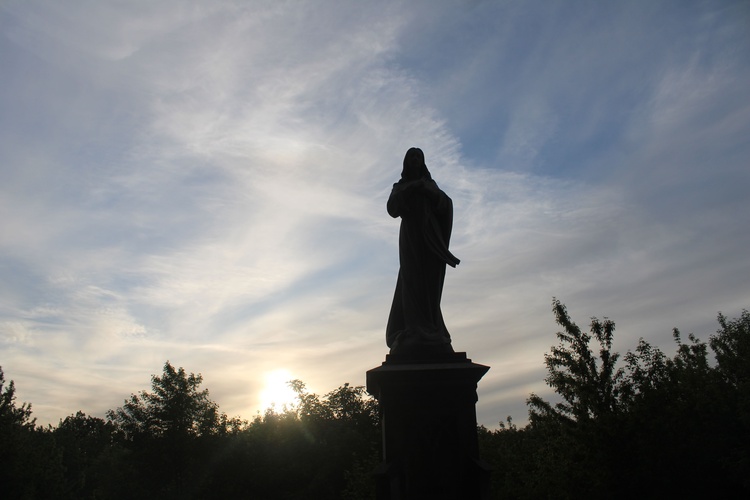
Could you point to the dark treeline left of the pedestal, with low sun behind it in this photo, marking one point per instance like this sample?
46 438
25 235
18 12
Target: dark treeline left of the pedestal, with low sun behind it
173 442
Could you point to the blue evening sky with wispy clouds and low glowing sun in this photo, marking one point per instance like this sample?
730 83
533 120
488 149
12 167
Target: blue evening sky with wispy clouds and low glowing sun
205 183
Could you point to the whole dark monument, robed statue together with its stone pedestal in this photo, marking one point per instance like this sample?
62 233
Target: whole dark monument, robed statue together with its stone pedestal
427 392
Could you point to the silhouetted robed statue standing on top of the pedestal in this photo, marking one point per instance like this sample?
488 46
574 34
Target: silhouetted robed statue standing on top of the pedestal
415 325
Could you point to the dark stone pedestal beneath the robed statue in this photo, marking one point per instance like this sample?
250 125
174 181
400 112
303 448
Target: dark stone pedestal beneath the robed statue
429 423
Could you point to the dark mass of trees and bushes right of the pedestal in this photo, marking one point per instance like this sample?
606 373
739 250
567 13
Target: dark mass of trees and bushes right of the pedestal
657 426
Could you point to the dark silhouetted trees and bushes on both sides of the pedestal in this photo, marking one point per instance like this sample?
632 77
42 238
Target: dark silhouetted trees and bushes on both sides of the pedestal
644 426
